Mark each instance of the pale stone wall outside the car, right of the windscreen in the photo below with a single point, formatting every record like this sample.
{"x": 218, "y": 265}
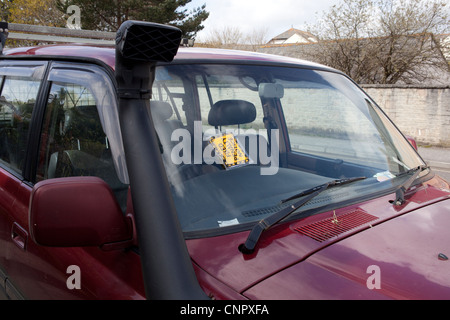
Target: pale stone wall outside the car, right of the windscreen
{"x": 421, "y": 112}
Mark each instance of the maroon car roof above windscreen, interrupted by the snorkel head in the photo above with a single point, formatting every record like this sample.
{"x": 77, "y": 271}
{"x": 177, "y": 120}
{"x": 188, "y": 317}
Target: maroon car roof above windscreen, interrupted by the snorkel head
{"x": 106, "y": 54}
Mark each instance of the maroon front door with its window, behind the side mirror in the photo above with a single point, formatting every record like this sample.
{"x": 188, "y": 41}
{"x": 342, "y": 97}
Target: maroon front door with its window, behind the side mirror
{"x": 67, "y": 139}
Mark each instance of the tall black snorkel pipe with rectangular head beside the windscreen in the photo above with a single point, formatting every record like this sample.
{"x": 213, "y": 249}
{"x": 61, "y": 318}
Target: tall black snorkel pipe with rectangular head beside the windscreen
{"x": 167, "y": 268}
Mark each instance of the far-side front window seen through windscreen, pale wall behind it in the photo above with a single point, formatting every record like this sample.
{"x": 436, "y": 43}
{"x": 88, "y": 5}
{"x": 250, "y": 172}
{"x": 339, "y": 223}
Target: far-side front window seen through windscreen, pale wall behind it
{"x": 323, "y": 121}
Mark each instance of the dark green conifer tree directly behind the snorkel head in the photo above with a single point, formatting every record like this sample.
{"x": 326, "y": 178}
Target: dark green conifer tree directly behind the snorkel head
{"x": 109, "y": 15}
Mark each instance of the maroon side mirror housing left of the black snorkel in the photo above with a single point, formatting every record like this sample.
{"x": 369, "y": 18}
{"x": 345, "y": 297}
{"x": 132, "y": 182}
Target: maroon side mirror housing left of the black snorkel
{"x": 76, "y": 212}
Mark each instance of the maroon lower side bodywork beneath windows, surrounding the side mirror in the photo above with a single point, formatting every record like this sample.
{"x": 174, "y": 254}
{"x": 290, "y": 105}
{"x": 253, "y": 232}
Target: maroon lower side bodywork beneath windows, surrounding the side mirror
{"x": 38, "y": 272}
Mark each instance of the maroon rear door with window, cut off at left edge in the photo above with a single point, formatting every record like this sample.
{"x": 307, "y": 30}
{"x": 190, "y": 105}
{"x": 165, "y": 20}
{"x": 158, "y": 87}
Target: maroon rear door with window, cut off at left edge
{"x": 21, "y": 83}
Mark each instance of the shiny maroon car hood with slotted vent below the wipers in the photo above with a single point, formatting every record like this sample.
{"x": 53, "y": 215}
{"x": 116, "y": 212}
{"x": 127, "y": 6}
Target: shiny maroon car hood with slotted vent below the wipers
{"x": 400, "y": 255}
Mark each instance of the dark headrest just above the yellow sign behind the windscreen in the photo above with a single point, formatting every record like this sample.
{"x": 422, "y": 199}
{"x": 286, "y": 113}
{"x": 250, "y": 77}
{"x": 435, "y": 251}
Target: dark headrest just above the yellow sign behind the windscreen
{"x": 231, "y": 112}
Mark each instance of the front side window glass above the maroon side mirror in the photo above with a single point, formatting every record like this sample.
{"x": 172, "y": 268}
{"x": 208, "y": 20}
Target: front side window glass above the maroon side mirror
{"x": 73, "y": 141}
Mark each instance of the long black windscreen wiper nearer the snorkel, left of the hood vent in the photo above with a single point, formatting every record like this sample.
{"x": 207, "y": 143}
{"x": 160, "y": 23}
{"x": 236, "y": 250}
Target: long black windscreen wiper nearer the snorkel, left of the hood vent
{"x": 249, "y": 246}
